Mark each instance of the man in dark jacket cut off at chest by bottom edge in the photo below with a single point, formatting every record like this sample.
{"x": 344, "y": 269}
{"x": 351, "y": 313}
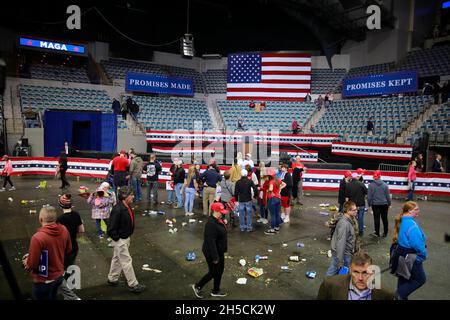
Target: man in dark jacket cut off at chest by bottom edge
{"x": 354, "y": 286}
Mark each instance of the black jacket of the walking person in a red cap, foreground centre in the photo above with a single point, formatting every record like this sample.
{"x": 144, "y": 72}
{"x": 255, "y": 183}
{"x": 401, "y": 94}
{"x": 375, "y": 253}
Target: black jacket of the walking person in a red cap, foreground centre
{"x": 215, "y": 242}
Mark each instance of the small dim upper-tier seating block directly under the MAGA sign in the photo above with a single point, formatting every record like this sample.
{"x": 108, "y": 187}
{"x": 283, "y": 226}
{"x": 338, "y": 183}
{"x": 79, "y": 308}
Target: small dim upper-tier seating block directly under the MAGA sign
{"x": 59, "y": 73}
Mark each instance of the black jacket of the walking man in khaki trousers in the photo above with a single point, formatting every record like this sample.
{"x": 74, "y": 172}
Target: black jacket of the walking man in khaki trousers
{"x": 120, "y": 224}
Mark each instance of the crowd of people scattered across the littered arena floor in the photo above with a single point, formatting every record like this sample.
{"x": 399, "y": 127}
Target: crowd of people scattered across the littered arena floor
{"x": 240, "y": 193}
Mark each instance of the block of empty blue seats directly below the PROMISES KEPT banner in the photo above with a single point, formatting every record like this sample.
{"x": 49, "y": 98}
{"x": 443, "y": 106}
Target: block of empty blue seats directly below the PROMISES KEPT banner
{"x": 389, "y": 115}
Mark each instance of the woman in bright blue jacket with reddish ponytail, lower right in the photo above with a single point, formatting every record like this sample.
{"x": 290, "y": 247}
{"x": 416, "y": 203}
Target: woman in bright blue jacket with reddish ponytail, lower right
{"x": 410, "y": 239}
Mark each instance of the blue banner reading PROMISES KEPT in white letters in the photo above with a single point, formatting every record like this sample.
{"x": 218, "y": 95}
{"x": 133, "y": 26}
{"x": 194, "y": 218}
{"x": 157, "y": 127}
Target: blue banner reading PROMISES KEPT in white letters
{"x": 381, "y": 84}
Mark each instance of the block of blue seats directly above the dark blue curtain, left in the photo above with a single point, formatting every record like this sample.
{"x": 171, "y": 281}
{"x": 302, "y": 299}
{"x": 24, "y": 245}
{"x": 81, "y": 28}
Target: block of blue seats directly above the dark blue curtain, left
{"x": 41, "y": 98}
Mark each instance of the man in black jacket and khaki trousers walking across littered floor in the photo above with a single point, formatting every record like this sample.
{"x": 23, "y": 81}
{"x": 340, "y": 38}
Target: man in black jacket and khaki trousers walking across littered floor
{"x": 120, "y": 229}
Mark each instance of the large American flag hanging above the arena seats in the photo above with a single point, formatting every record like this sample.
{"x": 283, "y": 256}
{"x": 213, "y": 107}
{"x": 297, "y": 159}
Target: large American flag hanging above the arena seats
{"x": 268, "y": 76}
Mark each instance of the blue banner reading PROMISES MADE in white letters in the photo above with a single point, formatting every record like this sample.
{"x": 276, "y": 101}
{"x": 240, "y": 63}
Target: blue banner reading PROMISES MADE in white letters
{"x": 158, "y": 84}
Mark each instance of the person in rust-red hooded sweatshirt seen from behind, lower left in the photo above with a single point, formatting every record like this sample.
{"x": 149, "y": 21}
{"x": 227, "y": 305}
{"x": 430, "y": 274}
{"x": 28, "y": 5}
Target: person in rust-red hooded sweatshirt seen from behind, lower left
{"x": 45, "y": 259}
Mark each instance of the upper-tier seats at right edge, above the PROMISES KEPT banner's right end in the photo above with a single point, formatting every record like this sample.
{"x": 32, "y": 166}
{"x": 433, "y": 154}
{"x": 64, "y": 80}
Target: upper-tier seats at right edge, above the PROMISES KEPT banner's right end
{"x": 428, "y": 62}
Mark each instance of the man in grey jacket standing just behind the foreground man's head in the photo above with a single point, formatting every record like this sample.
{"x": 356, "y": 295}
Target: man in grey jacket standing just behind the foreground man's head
{"x": 343, "y": 241}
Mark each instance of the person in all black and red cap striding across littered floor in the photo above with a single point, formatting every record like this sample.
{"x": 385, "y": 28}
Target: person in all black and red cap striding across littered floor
{"x": 215, "y": 244}
